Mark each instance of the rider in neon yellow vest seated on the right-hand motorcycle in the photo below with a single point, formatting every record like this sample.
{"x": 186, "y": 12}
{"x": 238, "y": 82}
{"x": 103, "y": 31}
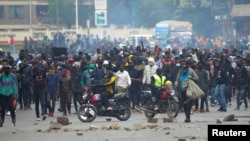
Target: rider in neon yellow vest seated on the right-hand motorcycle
{"x": 158, "y": 84}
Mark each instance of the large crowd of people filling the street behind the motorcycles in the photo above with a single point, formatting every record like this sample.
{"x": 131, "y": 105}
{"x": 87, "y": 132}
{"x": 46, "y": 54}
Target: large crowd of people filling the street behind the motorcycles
{"x": 39, "y": 80}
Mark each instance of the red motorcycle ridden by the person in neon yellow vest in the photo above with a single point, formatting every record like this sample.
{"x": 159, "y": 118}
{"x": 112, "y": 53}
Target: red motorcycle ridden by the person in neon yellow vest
{"x": 167, "y": 103}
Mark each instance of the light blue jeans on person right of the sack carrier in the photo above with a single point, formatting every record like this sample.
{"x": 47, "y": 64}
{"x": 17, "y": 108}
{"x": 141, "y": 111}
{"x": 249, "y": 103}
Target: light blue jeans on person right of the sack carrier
{"x": 219, "y": 94}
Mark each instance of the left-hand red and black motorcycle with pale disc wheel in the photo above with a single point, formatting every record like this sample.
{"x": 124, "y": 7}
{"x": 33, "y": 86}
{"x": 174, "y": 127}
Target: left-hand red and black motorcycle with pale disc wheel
{"x": 93, "y": 106}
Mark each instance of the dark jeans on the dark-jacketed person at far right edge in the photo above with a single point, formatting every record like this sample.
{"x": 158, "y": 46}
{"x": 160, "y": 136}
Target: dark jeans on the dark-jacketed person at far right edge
{"x": 241, "y": 95}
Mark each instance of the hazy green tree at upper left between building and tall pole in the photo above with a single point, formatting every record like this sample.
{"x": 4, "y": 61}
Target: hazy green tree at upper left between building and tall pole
{"x": 66, "y": 12}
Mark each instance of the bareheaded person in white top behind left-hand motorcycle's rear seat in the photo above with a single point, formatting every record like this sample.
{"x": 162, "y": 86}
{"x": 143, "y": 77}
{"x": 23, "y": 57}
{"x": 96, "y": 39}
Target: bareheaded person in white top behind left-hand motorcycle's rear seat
{"x": 123, "y": 81}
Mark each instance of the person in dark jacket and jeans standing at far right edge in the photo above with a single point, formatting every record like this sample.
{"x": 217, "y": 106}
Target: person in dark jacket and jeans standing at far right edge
{"x": 240, "y": 81}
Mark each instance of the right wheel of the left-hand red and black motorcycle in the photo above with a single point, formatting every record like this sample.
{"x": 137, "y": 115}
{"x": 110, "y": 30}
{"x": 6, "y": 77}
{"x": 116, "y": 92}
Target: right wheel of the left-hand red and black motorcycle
{"x": 123, "y": 112}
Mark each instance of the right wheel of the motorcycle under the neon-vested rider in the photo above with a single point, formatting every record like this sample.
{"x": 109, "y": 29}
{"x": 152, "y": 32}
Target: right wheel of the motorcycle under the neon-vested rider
{"x": 172, "y": 109}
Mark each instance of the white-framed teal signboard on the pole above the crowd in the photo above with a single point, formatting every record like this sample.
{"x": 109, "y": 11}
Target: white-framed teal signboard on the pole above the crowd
{"x": 100, "y": 17}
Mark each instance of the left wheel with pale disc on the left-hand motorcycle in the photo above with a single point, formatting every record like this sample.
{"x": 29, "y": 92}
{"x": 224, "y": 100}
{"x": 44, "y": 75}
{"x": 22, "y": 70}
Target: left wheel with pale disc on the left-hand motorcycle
{"x": 87, "y": 113}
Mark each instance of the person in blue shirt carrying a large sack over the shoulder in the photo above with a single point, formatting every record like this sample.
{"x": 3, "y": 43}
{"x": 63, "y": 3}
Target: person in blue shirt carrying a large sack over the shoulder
{"x": 182, "y": 83}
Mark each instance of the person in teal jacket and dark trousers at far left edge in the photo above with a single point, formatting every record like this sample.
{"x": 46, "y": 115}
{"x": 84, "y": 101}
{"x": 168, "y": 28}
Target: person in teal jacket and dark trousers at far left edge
{"x": 8, "y": 92}
